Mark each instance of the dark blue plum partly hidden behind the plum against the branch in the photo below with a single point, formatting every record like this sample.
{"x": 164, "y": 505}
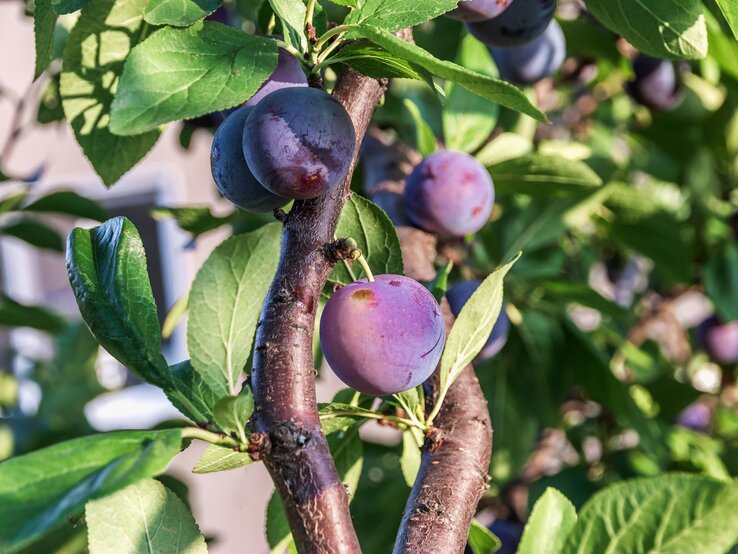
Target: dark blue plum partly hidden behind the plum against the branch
{"x": 230, "y": 172}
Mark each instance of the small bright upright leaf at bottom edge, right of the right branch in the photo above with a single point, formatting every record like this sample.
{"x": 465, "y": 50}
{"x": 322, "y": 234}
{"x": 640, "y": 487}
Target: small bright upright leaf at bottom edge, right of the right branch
{"x": 549, "y": 524}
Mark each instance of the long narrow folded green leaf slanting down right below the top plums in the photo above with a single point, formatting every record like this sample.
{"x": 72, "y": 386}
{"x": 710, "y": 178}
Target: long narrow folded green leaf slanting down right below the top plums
{"x": 499, "y": 91}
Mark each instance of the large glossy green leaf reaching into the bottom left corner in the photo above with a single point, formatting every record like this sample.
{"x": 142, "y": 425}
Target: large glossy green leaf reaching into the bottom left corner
{"x": 41, "y": 490}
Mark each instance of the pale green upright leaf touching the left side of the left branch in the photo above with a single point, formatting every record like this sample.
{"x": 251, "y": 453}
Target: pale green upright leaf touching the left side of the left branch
{"x": 225, "y": 303}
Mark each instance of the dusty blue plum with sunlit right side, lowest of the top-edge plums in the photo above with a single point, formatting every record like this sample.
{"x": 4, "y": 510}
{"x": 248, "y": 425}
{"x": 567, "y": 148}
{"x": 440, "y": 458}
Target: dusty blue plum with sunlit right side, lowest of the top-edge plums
{"x": 536, "y": 60}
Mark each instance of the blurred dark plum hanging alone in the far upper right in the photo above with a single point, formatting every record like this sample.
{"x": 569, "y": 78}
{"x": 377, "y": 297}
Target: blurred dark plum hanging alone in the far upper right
{"x": 656, "y": 85}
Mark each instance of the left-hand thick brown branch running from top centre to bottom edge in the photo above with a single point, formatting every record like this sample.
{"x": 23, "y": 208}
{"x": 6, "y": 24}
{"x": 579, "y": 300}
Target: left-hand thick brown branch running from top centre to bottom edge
{"x": 283, "y": 376}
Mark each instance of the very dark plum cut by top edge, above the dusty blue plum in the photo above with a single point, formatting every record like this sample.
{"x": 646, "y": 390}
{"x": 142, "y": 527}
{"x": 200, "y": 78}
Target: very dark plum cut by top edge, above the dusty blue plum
{"x": 521, "y": 23}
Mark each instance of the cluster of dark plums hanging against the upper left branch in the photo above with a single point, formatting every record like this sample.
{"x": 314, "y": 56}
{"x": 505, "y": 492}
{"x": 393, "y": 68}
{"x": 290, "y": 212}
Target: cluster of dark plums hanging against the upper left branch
{"x": 288, "y": 142}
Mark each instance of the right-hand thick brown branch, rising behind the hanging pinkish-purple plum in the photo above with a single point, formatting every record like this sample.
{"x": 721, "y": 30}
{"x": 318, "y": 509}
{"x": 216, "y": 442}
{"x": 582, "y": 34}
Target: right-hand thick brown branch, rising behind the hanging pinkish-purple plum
{"x": 455, "y": 458}
